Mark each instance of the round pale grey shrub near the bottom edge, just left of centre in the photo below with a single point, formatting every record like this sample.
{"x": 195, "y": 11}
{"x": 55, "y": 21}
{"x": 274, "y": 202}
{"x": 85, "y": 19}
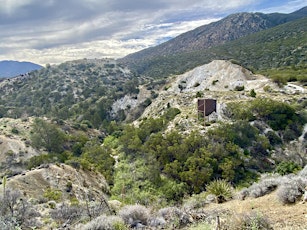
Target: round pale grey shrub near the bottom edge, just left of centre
{"x": 134, "y": 215}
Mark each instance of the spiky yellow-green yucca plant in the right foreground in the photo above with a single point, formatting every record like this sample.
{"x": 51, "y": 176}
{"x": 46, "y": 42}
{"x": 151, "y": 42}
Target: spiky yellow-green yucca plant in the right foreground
{"x": 221, "y": 189}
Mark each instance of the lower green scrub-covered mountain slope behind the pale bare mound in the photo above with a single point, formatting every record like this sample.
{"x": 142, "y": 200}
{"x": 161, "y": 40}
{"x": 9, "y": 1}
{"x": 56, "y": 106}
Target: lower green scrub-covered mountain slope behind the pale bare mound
{"x": 283, "y": 45}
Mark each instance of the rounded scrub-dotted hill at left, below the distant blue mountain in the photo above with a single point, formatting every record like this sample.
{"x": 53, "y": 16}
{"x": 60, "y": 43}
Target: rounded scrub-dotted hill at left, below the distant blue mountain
{"x": 82, "y": 90}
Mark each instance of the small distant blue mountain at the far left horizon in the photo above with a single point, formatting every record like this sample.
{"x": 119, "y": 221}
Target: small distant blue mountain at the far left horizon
{"x": 14, "y": 68}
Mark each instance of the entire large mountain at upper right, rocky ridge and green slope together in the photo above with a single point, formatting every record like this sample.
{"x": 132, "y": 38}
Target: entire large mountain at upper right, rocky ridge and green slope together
{"x": 280, "y": 44}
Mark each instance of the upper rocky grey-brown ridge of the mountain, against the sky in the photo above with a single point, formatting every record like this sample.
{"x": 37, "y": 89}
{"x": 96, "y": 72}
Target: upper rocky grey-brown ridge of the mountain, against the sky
{"x": 229, "y": 28}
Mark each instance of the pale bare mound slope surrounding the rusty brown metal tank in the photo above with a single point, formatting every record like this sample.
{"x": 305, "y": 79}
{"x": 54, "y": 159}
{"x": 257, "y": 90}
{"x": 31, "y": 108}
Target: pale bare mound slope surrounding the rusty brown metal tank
{"x": 221, "y": 80}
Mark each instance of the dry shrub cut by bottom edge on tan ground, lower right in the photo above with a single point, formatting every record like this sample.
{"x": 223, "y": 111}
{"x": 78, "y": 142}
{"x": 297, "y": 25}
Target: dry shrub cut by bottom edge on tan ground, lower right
{"x": 253, "y": 221}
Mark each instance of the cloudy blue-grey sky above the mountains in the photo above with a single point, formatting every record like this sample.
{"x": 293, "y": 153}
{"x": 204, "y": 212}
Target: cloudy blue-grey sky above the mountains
{"x": 55, "y": 31}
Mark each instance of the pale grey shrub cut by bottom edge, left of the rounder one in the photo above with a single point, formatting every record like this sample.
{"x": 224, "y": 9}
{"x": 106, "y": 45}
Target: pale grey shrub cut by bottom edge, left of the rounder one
{"x": 107, "y": 223}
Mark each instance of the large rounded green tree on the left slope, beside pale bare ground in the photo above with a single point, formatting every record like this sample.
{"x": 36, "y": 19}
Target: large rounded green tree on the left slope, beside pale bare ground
{"x": 47, "y": 135}
